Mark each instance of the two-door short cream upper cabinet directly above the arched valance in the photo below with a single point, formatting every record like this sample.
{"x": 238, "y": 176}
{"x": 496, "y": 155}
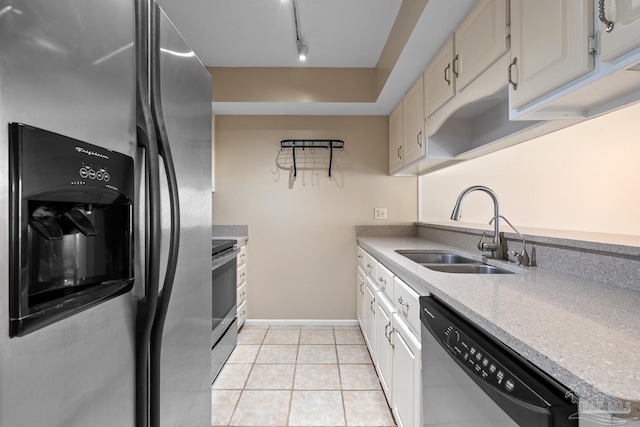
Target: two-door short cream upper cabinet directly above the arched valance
{"x": 476, "y": 44}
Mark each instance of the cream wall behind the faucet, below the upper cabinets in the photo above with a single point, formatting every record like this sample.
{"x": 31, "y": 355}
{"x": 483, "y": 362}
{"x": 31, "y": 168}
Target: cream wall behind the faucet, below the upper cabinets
{"x": 583, "y": 178}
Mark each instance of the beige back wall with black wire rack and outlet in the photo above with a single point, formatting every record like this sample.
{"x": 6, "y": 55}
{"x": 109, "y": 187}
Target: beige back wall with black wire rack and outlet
{"x": 302, "y": 239}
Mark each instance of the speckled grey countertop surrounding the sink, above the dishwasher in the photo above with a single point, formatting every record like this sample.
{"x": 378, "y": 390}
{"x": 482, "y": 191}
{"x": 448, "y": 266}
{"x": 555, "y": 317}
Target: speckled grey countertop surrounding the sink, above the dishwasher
{"x": 586, "y": 334}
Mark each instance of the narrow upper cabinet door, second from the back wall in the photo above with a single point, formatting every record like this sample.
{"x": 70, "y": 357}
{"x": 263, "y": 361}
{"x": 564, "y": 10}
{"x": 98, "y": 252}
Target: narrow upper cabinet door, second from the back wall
{"x": 413, "y": 108}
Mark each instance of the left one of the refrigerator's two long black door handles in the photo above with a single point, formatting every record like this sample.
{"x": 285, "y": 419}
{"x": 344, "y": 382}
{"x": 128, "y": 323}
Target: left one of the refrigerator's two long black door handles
{"x": 146, "y": 136}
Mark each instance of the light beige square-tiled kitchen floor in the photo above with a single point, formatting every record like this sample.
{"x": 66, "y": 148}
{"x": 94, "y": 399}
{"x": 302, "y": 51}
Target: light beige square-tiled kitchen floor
{"x": 299, "y": 376}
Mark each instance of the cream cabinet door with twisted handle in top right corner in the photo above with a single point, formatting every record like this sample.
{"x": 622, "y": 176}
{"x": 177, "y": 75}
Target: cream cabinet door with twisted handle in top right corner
{"x": 624, "y": 33}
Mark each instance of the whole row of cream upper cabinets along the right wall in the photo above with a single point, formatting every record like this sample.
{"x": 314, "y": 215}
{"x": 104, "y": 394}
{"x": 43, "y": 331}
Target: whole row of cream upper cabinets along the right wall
{"x": 516, "y": 70}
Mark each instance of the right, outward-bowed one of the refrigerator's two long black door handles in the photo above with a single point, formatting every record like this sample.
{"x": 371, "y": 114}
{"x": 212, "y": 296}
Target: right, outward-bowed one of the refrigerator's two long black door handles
{"x": 174, "y": 203}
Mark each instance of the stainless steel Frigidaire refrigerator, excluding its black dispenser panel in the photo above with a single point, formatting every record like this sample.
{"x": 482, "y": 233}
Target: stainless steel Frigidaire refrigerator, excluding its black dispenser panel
{"x": 81, "y": 69}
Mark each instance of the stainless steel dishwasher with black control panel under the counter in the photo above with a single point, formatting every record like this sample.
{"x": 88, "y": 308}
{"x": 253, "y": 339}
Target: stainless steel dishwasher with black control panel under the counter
{"x": 471, "y": 379}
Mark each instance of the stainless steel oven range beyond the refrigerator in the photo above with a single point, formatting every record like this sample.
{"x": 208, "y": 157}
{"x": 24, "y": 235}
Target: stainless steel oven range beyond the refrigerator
{"x": 224, "y": 334}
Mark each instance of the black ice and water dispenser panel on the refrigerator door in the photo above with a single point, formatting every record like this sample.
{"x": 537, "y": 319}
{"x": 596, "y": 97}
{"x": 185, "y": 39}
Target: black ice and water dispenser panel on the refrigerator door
{"x": 71, "y": 232}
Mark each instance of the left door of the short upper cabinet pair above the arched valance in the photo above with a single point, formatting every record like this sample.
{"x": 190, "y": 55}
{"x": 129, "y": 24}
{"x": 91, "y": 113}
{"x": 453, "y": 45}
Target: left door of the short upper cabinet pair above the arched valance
{"x": 439, "y": 85}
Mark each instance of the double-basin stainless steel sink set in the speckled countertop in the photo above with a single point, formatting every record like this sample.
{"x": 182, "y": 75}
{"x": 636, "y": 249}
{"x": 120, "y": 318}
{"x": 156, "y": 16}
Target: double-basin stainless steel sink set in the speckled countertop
{"x": 447, "y": 262}
